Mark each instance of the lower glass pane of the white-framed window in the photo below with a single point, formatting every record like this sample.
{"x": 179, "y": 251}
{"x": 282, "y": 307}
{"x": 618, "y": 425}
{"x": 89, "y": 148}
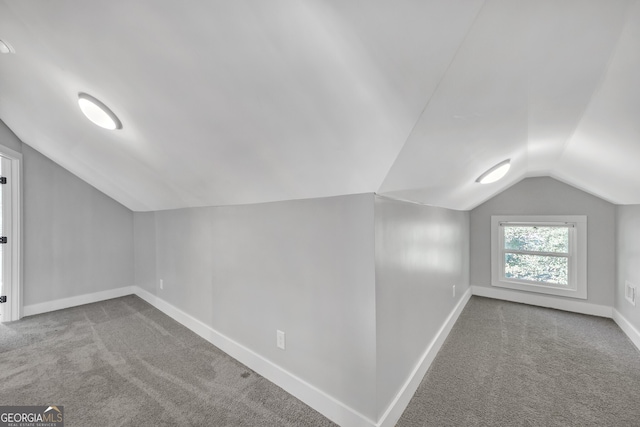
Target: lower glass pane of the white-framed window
{"x": 547, "y": 269}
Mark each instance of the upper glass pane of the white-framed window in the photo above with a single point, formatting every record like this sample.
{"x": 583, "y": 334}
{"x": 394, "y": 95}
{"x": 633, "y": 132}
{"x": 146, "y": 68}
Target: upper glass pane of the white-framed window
{"x": 539, "y": 239}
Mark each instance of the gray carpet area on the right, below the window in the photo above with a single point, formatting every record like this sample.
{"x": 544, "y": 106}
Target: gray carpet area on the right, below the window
{"x": 507, "y": 364}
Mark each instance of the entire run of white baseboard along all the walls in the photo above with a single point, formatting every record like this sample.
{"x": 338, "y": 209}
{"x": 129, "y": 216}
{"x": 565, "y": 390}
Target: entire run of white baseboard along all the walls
{"x": 328, "y": 406}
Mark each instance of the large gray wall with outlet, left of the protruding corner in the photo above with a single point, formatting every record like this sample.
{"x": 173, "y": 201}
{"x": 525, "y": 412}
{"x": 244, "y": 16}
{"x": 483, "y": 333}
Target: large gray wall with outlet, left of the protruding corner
{"x": 305, "y": 267}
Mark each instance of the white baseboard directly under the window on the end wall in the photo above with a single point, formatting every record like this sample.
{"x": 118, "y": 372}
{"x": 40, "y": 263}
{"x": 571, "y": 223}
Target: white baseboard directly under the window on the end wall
{"x": 543, "y": 301}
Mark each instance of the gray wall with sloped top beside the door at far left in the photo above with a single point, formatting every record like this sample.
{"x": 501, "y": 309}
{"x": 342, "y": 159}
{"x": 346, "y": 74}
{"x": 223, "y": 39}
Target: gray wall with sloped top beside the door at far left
{"x": 76, "y": 240}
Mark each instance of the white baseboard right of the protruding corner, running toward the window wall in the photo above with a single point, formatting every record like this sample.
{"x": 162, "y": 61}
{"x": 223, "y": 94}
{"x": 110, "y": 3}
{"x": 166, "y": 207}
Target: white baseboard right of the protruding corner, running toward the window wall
{"x": 402, "y": 399}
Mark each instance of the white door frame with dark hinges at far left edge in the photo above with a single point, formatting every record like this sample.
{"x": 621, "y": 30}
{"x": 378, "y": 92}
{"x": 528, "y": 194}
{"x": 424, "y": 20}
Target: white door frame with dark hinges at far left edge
{"x": 14, "y": 234}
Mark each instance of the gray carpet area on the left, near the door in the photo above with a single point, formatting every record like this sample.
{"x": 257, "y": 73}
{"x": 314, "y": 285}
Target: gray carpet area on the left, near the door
{"x": 124, "y": 363}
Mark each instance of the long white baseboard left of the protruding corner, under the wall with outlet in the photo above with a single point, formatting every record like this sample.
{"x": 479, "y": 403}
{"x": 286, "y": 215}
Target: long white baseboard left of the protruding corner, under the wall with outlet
{"x": 328, "y": 406}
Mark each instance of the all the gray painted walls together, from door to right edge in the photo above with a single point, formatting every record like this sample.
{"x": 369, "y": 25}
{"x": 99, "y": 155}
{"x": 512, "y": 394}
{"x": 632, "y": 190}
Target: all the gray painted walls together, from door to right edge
{"x": 360, "y": 284}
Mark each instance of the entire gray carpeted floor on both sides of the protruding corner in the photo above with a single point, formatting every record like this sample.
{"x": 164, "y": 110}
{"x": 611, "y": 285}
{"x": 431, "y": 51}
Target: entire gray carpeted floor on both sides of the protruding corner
{"x": 124, "y": 363}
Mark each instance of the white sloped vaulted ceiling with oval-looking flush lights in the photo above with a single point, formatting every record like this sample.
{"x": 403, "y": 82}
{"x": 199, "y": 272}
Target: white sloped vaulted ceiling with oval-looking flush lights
{"x": 229, "y": 102}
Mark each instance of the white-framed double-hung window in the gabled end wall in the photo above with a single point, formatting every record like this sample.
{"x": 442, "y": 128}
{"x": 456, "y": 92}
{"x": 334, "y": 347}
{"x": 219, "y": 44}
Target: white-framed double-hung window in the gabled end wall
{"x": 544, "y": 254}
